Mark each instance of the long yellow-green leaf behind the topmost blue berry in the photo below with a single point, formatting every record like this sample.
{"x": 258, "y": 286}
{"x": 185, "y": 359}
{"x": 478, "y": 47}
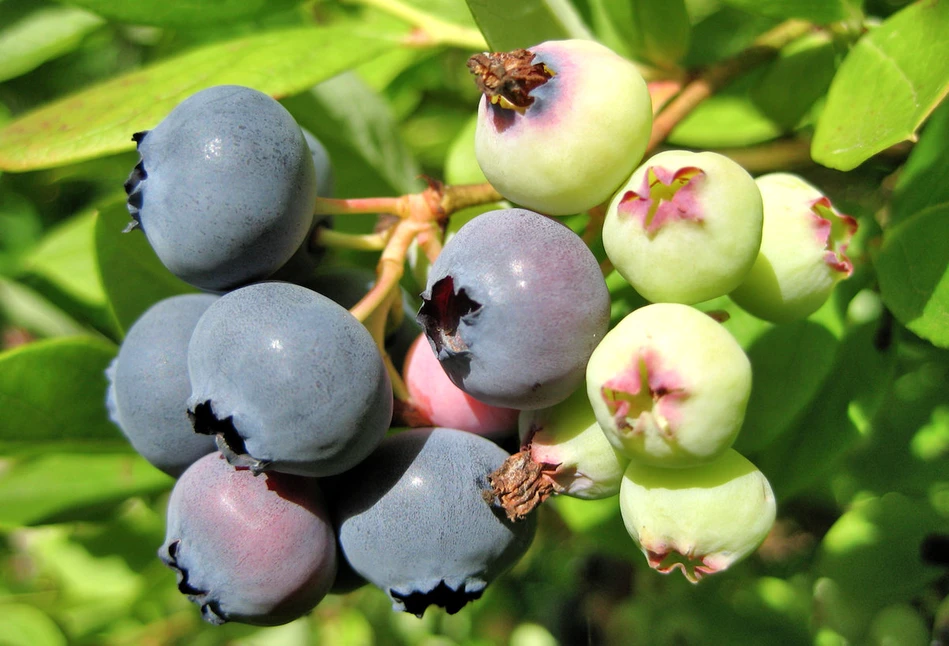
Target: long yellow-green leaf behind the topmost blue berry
{"x": 100, "y": 121}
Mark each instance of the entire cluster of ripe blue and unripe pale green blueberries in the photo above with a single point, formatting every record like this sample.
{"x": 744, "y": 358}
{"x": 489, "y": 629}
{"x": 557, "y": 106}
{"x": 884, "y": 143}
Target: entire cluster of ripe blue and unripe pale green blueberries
{"x": 272, "y": 403}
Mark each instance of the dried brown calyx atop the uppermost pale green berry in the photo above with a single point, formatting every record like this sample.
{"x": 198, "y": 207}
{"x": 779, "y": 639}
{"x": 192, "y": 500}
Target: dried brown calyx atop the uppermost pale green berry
{"x": 507, "y": 78}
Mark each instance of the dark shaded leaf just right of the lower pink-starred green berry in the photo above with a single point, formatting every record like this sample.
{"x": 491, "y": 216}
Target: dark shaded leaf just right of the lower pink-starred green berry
{"x": 789, "y": 365}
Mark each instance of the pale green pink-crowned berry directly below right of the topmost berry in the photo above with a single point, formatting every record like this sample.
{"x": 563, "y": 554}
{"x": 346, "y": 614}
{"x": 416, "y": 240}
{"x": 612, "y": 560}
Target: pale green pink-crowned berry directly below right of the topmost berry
{"x": 685, "y": 228}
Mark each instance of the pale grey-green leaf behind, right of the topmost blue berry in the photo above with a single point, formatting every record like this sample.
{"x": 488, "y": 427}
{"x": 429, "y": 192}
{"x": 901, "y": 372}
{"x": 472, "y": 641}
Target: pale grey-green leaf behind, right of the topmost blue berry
{"x": 345, "y": 112}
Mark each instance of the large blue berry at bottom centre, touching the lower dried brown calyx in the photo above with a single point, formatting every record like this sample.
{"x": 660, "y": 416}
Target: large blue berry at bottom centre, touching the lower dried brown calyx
{"x": 413, "y": 520}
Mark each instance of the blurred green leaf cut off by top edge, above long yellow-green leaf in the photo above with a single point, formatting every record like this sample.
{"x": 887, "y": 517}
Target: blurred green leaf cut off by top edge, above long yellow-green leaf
{"x": 161, "y": 12}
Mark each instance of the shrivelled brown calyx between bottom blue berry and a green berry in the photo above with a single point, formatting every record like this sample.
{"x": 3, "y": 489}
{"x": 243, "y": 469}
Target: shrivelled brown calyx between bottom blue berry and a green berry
{"x": 520, "y": 484}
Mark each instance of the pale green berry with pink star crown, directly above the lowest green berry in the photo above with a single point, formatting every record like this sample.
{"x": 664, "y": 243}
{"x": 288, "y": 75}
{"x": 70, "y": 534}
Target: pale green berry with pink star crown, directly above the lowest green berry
{"x": 669, "y": 386}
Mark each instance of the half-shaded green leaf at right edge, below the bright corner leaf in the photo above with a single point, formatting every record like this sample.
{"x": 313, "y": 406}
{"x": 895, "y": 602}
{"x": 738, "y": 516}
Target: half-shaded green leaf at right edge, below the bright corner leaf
{"x": 913, "y": 267}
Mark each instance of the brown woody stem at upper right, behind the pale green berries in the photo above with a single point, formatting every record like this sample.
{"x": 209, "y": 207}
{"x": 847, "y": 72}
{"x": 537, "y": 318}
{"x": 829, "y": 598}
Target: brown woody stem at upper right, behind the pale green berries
{"x": 713, "y": 78}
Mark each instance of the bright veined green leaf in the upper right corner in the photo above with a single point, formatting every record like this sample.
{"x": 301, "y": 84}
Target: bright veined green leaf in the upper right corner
{"x": 892, "y": 79}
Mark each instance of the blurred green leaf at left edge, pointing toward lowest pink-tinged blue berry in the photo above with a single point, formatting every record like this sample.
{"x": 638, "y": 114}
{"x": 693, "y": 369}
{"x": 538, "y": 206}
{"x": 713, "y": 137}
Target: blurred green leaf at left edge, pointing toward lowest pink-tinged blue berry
{"x": 54, "y": 487}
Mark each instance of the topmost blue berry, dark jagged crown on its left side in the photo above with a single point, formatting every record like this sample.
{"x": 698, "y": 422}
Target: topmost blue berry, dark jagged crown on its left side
{"x": 225, "y": 187}
